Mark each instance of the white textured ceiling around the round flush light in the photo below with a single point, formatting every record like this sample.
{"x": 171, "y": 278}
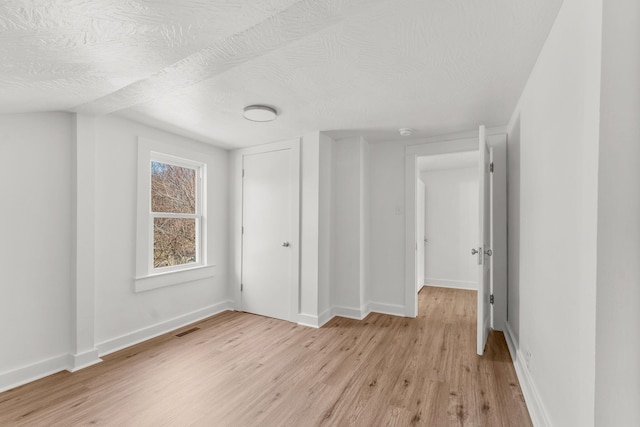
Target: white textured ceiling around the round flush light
{"x": 350, "y": 67}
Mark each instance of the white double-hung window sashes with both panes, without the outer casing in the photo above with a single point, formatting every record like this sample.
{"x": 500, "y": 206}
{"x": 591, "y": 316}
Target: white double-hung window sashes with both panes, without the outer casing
{"x": 175, "y": 213}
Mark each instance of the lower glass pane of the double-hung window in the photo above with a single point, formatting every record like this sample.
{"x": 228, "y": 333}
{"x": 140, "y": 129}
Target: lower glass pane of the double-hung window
{"x": 174, "y": 241}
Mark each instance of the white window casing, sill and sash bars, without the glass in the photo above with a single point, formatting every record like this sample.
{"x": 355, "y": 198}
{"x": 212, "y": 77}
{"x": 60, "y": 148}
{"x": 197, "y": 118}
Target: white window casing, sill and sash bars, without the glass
{"x": 147, "y": 276}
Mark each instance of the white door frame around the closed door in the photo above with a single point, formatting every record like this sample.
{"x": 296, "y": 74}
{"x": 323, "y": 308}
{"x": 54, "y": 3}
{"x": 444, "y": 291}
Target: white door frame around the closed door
{"x": 236, "y": 162}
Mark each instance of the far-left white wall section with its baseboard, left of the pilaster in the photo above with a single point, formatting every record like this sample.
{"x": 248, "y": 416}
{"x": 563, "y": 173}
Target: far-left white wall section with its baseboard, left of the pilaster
{"x": 36, "y": 249}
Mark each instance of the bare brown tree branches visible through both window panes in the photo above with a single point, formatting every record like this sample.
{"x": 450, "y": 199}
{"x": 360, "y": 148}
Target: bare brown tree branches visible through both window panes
{"x": 173, "y": 191}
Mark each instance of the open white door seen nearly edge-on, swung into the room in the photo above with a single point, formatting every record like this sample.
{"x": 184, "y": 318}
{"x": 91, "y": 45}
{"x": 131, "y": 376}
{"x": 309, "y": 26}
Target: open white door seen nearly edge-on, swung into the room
{"x": 484, "y": 251}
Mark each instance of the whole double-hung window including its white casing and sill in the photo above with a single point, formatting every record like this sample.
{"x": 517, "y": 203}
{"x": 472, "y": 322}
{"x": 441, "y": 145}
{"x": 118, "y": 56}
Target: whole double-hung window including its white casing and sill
{"x": 172, "y": 218}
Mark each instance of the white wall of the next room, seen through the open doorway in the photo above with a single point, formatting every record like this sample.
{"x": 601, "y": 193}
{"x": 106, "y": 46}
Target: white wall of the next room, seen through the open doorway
{"x": 451, "y": 225}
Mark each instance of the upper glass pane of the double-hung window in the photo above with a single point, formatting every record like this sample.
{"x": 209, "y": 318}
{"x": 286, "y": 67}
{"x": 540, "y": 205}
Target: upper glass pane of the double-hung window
{"x": 173, "y": 188}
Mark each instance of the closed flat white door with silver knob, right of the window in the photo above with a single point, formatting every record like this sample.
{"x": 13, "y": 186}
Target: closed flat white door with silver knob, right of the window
{"x": 267, "y": 234}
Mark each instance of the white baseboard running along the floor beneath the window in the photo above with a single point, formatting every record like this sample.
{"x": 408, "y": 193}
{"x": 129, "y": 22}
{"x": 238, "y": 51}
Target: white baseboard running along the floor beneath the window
{"x": 135, "y": 337}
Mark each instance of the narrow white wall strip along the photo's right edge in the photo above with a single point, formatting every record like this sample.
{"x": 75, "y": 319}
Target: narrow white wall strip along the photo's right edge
{"x": 617, "y": 400}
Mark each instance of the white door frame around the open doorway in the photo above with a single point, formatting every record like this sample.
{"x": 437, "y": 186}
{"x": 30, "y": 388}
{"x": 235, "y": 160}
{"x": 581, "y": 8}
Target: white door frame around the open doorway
{"x": 467, "y": 141}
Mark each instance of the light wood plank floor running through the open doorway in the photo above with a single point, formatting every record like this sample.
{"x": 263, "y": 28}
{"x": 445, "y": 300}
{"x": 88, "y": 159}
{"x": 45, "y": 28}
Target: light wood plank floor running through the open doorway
{"x": 240, "y": 369}
